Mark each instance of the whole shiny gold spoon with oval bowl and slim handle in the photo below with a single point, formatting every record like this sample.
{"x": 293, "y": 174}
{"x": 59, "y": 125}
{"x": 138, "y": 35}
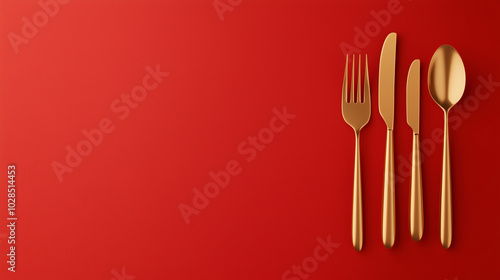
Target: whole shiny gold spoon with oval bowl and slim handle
{"x": 446, "y": 82}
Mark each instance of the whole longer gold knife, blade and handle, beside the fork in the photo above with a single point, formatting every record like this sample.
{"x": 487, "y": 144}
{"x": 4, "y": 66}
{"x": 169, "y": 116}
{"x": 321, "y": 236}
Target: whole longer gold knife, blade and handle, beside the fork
{"x": 387, "y": 72}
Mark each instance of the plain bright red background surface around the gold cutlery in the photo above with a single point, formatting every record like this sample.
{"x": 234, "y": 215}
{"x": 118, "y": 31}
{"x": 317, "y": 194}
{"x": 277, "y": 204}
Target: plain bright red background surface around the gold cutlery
{"x": 119, "y": 208}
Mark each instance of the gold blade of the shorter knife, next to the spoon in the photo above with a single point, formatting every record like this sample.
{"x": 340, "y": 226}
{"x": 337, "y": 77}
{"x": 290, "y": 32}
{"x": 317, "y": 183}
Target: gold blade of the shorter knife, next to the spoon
{"x": 413, "y": 97}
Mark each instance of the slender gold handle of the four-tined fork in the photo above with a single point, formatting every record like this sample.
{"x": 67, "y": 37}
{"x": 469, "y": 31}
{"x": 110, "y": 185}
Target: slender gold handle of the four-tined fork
{"x": 357, "y": 202}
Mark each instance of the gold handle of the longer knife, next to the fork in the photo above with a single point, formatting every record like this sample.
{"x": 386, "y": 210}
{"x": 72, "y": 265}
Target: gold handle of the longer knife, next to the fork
{"x": 388, "y": 207}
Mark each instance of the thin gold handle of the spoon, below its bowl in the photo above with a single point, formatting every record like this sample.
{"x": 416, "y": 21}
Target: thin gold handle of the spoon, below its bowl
{"x": 446, "y": 190}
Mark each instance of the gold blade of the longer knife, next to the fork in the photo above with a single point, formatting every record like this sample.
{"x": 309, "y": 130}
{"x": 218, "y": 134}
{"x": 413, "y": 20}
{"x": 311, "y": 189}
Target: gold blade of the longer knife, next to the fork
{"x": 387, "y": 72}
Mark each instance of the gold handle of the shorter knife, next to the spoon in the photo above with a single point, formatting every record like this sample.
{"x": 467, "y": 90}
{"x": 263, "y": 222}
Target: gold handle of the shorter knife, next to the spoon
{"x": 416, "y": 204}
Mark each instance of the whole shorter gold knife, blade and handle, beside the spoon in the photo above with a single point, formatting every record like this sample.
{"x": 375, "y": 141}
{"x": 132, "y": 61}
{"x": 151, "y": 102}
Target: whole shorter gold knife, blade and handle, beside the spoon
{"x": 413, "y": 119}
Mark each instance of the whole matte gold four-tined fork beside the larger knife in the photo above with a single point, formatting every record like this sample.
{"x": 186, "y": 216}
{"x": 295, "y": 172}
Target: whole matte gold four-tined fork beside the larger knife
{"x": 356, "y": 113}
